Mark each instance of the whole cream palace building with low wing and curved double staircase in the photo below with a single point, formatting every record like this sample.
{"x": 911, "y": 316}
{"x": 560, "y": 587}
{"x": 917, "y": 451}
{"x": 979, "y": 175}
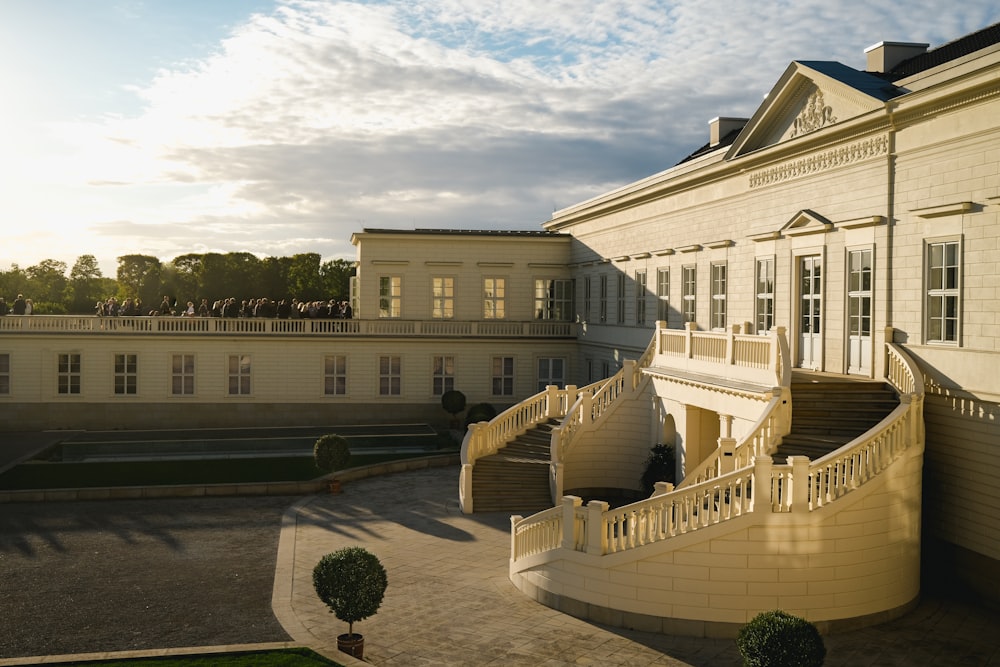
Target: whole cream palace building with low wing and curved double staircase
{"x": 805, "y": 309}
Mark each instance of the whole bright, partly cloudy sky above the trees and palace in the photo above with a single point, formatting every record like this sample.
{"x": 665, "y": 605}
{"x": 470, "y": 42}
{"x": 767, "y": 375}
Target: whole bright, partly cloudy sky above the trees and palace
{"x": 167, "y": 127}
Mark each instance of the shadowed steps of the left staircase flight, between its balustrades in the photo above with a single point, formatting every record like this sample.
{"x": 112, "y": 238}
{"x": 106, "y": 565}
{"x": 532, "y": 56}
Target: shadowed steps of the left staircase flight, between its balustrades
{"x": 516, "y": 478}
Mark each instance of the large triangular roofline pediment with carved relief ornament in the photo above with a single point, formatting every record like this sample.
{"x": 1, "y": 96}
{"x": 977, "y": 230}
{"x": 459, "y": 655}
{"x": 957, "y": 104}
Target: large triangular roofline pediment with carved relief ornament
{"x": 810, "y": 97}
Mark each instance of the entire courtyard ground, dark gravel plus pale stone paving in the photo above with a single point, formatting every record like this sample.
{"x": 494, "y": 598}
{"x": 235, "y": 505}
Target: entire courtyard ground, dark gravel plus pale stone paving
{"x": 156, "y": 574}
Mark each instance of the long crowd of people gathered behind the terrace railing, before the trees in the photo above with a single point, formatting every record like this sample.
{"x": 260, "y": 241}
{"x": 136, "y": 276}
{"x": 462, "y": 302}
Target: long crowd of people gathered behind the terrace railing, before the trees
{"x": 260, "y": 307}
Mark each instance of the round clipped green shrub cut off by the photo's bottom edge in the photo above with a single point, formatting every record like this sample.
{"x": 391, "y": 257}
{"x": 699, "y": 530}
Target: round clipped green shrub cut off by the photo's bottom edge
{"x": 778, "y": 639}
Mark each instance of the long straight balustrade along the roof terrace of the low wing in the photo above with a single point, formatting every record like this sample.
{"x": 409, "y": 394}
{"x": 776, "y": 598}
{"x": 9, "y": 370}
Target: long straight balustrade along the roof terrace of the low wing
{"x": 110, "y": 326}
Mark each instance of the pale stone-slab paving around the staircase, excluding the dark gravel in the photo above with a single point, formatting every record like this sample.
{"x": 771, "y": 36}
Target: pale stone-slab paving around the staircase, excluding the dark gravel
{"x": 449, "y": 601}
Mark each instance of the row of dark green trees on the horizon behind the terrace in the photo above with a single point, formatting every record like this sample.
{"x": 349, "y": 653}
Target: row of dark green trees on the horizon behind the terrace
{"x": 57, "y": 289}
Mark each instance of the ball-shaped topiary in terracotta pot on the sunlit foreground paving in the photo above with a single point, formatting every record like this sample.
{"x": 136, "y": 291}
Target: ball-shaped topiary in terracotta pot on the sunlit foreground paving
{"x": 352, "y": 583}
